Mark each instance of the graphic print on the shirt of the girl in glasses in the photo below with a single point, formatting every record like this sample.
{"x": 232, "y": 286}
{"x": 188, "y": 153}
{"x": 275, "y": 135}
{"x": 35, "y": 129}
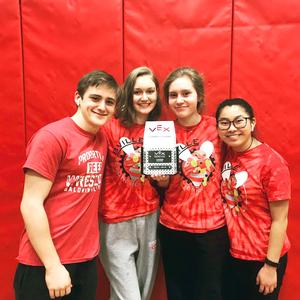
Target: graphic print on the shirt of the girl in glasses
{"x": 231, "y": 186}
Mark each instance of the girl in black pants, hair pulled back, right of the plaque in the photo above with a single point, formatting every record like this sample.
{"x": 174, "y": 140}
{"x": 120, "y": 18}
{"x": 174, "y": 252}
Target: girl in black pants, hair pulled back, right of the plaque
{"x": 192, "y": 230}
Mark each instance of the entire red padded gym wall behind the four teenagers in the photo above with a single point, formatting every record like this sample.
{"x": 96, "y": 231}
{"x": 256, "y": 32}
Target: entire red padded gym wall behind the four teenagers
{"x": 243, "y": 48}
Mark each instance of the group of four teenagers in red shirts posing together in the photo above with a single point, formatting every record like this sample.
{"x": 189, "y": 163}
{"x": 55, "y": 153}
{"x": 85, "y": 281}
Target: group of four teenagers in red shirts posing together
{"x": 220, "y": 229}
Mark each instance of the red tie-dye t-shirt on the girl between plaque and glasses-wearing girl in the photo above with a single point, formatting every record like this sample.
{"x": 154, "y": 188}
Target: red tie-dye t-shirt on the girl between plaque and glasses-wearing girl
{"x": 193, "y": 201}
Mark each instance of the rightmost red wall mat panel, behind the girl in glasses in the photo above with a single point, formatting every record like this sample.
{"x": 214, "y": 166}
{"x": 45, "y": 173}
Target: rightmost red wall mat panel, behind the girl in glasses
{"x": 266, "y": 66}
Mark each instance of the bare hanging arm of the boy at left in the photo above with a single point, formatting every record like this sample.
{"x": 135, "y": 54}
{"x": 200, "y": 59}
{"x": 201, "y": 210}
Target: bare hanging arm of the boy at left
{"x": 36, "y": 189}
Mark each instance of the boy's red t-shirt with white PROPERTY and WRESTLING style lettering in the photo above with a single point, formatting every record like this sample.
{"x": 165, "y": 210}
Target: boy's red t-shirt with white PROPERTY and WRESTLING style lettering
{"x": 73, "y": 160}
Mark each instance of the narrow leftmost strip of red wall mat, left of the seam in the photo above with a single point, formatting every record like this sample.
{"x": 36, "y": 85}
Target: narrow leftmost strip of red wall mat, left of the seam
{"x": 12, "y": 147}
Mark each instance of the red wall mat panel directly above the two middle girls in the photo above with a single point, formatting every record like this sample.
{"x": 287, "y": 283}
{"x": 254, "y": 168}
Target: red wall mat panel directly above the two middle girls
{"x": 168, "y": 34}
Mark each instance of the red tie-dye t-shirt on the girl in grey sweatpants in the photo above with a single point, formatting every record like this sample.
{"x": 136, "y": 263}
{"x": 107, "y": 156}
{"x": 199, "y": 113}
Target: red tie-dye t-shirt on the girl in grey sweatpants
{"x": 127, "y": 193}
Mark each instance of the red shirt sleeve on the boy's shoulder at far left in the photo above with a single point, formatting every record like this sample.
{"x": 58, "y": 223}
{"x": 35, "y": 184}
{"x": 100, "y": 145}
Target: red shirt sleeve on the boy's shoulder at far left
{"x": 44, "y": 154}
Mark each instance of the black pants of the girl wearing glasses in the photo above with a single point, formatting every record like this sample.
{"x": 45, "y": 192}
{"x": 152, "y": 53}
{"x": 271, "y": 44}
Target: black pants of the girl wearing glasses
{"x": 242, "y": 283}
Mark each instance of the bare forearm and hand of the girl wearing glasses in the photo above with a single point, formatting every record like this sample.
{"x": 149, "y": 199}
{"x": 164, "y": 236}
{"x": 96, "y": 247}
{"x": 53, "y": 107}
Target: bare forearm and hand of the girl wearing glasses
{"x": 267, "y": 276}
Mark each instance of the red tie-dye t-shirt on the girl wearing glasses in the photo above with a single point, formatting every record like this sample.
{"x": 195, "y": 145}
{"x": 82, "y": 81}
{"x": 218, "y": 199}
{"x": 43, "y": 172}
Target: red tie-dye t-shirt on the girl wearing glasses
{"x": 250, "y": 180}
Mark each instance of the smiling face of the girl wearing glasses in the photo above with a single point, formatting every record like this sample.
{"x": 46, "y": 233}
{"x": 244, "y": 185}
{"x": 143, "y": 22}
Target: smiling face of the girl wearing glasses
{"x": 238, "y": 135}
